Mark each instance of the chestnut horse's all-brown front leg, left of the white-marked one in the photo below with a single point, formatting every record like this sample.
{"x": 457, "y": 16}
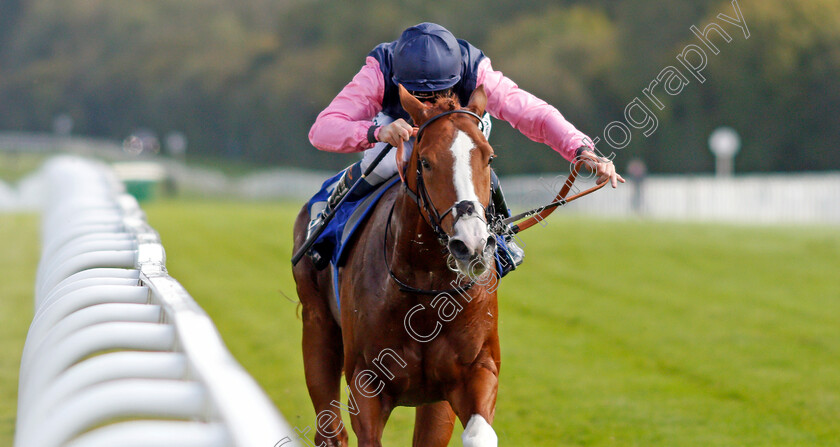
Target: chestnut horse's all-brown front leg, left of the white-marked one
{"x": 369, "y": 410}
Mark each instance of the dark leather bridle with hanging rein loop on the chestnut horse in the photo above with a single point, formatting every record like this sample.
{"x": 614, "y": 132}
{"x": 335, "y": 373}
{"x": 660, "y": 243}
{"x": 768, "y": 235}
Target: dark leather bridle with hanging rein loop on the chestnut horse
{"x": 427, "y": 208}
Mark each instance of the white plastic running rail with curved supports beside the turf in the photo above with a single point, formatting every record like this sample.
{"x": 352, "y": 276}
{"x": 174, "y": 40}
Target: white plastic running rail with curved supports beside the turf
{"x": 118, "y": 353}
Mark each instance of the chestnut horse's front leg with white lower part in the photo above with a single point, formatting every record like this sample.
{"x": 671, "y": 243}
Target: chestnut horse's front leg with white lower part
{"x": 474, "y": 401}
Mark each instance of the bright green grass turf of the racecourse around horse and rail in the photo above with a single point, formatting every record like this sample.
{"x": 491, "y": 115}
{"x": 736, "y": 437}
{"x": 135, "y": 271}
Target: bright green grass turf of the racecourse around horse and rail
{"x": 614, "y": 333}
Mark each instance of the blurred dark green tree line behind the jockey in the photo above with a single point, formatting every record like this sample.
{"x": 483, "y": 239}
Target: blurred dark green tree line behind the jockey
{"x": 244, "y": 79}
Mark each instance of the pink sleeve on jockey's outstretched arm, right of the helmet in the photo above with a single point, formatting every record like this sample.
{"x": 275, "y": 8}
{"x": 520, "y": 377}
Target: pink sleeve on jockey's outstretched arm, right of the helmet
{"x": 532, "y": 116}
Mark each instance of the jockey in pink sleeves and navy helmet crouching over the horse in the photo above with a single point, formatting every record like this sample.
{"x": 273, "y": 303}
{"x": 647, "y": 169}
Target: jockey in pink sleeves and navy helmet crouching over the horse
{"x": 430, "y": 62}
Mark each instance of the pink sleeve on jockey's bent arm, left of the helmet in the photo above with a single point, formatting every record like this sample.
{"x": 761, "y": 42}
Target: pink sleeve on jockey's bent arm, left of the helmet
{"x": 343, "y": 125}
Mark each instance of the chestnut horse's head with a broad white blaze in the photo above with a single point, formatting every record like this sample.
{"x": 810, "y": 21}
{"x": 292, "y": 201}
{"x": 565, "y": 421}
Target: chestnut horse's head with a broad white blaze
{"x": 449, "y": 172}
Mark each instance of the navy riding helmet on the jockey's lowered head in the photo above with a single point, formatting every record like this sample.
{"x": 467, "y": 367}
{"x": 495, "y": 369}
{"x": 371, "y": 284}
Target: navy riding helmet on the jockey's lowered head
{"x": 427, "y": 58}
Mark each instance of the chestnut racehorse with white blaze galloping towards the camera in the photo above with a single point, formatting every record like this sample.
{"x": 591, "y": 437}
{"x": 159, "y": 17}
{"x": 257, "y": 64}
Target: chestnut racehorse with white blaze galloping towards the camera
{"x": 411, "y": 330}
